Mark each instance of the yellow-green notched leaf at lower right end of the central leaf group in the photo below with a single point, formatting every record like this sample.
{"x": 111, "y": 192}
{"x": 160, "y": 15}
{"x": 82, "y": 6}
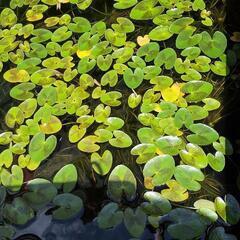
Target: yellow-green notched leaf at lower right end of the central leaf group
{"x": 121, "y": 140}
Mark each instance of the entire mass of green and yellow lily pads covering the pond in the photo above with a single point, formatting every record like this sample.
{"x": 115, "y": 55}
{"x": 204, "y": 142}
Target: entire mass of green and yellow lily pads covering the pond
{"x": 67, "y": 72}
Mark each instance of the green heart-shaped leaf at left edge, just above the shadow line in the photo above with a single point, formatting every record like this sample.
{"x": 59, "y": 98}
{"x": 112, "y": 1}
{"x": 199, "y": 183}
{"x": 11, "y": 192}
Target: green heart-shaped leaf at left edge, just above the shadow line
{"x": 14, "y": 180}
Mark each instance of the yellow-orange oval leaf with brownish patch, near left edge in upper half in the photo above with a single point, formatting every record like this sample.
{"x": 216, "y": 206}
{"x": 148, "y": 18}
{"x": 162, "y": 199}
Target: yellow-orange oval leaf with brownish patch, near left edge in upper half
{"x": 15, "y": 75}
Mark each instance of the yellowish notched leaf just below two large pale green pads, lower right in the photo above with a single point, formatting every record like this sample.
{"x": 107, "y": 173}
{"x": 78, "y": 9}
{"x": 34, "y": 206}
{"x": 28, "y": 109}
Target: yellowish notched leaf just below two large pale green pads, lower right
{"x": 175, "y": 192}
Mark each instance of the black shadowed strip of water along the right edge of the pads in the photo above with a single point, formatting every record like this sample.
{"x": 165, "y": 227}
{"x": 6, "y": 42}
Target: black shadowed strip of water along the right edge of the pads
{"x": 229, "y": 125}
